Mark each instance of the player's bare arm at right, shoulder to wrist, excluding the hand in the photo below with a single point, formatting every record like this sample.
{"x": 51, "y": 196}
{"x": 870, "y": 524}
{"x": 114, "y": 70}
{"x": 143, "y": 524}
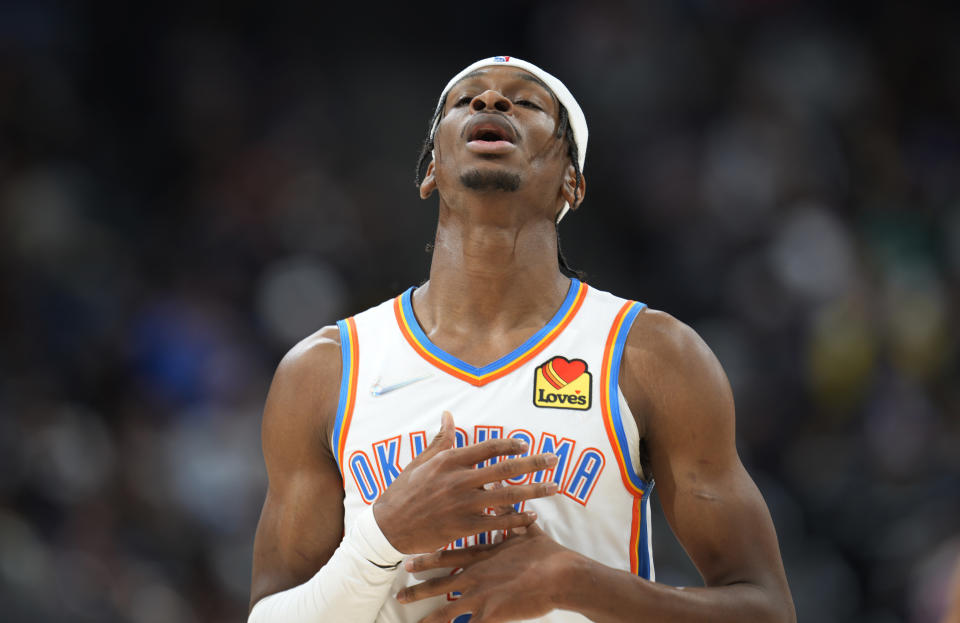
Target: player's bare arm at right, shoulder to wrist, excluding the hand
{"x": 685, "y": 412}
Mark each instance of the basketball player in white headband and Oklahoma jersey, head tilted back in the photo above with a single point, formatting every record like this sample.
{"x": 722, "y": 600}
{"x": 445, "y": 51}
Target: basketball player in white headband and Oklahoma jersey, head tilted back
{"x": 558, "y": 405}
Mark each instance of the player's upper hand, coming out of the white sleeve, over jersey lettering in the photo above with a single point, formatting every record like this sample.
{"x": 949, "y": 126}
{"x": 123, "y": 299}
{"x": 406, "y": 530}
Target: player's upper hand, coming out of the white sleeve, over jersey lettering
{"x": 440, "y": 495}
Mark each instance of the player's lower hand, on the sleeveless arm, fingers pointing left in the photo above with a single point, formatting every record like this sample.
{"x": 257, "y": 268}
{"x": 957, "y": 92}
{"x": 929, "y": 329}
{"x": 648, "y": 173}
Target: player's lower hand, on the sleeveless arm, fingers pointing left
{"x": 519, "y": 578}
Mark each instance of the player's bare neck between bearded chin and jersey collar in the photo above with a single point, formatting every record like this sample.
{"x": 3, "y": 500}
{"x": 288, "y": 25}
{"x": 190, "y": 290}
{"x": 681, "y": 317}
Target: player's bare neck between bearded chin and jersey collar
{"x": 493, "y": 272}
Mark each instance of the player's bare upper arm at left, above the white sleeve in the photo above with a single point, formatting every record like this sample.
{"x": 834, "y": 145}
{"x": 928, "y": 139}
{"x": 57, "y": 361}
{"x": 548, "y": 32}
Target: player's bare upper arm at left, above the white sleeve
{"x": 301, "y": 523}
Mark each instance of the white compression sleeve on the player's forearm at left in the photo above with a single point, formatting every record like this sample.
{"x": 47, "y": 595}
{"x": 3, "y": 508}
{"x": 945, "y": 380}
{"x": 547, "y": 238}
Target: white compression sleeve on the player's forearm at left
{"x": 352, "y": 586}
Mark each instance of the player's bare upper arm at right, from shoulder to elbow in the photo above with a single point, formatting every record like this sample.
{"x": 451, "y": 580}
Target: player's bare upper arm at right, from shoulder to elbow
{"x": 712, "y": 504}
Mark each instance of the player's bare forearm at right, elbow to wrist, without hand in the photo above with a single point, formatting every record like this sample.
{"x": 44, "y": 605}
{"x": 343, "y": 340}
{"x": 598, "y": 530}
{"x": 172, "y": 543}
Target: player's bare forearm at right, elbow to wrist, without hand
{"x": 607, "y": 595}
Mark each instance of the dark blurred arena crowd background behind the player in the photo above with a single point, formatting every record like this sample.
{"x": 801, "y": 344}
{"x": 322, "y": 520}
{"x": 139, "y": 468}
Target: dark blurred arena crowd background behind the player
{"x": 186, "y": 191}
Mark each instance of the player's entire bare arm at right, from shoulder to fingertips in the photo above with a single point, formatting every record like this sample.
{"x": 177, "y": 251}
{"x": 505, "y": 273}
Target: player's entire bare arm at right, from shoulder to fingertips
{"x": 684, "y": 409}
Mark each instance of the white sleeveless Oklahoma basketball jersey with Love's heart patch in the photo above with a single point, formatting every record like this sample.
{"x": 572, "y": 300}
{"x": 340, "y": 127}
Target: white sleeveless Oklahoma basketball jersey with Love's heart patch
{"x": 558, "y": 392}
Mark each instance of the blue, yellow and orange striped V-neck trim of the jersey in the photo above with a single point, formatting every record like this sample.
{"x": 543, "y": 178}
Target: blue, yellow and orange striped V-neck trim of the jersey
{"x": 478, "y": 376}
